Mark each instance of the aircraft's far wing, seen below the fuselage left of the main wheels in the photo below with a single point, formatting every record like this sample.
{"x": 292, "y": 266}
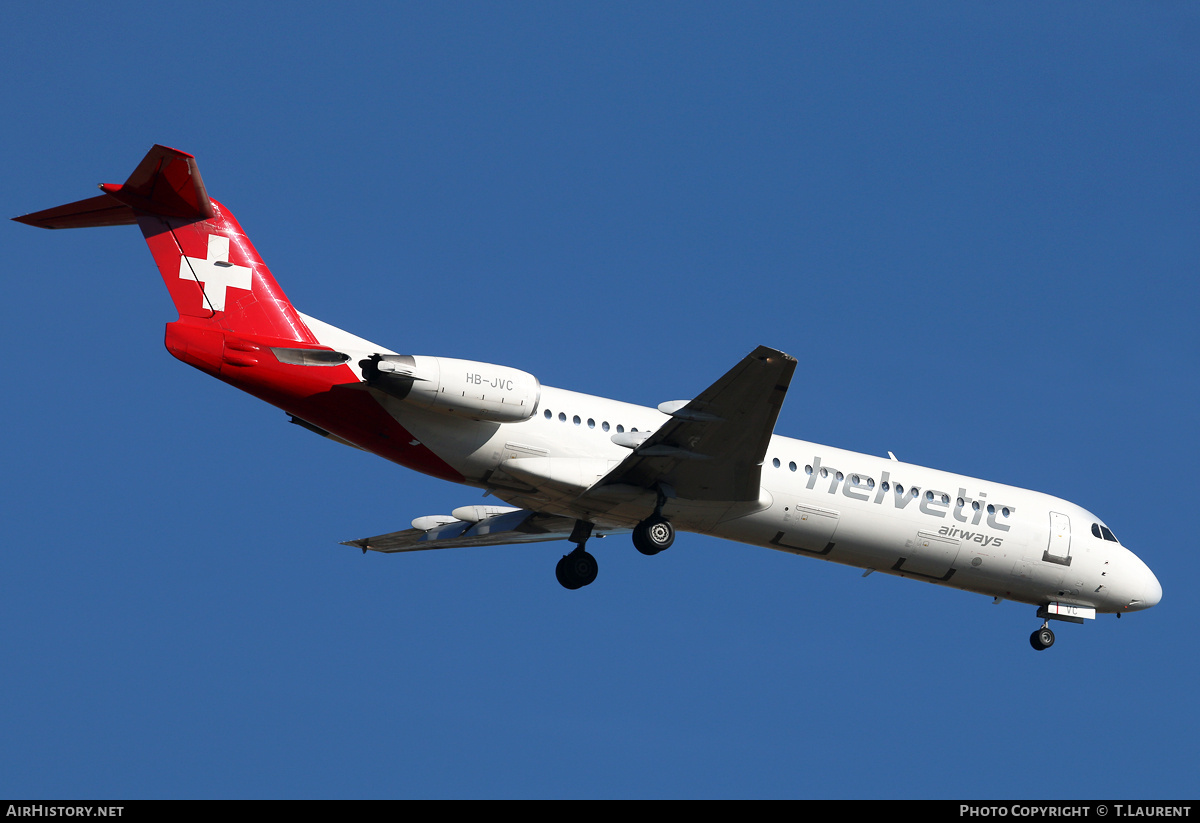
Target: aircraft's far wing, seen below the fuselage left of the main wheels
{"x": 515, "y": 527}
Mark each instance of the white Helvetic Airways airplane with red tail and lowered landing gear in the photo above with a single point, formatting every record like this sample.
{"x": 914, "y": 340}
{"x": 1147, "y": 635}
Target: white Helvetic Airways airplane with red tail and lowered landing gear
{"x": 574, "y": 467}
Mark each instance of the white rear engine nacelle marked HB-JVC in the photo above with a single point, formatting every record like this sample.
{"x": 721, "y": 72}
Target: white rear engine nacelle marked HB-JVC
{"x": 476, "y": 391}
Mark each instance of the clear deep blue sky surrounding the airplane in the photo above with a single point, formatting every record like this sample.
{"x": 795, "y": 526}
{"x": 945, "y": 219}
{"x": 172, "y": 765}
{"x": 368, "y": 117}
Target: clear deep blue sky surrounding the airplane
{"x": 975, "y": 225}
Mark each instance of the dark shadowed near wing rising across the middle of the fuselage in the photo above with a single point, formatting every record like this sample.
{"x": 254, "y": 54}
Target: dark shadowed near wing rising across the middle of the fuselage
{"x": 715, "y": 446}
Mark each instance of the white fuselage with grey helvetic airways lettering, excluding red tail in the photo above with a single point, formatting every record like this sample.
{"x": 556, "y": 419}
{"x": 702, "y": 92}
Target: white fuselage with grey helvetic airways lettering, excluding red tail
{"x": 817, "y": 501}
